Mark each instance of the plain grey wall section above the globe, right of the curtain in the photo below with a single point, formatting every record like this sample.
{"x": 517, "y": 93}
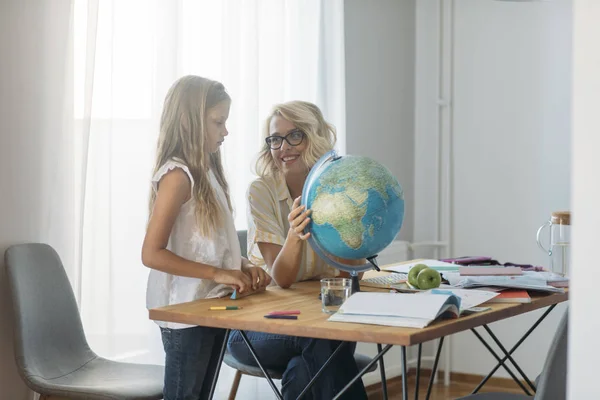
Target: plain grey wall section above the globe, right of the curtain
{"x": 380, "y": 76}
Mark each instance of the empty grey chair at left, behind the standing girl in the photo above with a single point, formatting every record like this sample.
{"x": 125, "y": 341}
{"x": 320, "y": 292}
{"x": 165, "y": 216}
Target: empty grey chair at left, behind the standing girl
{"x": 51, "y": 351}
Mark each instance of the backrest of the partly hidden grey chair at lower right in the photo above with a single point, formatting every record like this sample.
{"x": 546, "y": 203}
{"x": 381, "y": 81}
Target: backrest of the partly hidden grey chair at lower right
{"x": 553, "y": 381}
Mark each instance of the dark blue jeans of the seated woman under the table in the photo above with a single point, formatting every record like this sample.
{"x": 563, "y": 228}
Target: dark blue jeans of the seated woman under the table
{"x": 301, "y": 358}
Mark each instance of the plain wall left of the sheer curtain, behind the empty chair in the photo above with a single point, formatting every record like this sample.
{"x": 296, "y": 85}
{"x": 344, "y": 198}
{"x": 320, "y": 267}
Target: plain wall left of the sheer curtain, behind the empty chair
{"x": 32, "y": 44}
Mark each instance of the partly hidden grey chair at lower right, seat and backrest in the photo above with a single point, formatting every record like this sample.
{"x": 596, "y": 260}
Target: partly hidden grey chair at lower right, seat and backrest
{"x": 553, "y": 379}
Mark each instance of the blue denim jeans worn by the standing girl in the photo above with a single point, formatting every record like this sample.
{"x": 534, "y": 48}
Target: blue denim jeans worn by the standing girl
{"x": 192, "y": 356}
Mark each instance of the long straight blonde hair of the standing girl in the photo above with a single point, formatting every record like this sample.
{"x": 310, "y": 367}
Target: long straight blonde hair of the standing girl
{"x": 183, "y": 132}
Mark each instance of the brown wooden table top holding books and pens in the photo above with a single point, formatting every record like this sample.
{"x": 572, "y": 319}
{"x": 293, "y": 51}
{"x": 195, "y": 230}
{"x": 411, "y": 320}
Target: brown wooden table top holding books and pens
{"x": 312, "y": 322}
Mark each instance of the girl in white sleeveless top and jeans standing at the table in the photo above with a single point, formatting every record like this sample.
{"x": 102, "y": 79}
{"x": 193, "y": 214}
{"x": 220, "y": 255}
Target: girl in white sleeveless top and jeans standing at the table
{"x": 191, "y": 244}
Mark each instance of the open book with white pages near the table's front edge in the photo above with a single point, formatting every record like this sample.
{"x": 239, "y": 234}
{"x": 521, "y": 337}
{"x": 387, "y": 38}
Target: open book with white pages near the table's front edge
{"x": 397, "y": 309}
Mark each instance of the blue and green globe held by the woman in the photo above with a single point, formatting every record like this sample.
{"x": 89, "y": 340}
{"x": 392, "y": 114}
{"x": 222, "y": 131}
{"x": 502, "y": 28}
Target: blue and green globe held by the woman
{"x": 357, "y": 209}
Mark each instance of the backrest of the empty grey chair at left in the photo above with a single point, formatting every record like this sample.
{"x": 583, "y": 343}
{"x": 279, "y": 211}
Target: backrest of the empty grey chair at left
{"x": 49, "y": 337}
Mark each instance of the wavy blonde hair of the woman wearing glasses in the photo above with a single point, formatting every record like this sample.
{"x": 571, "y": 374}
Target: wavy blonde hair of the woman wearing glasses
{"x": 320, "y": 134}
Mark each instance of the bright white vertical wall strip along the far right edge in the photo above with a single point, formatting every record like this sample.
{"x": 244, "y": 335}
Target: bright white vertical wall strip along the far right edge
{"x": 583, "y": 318}
